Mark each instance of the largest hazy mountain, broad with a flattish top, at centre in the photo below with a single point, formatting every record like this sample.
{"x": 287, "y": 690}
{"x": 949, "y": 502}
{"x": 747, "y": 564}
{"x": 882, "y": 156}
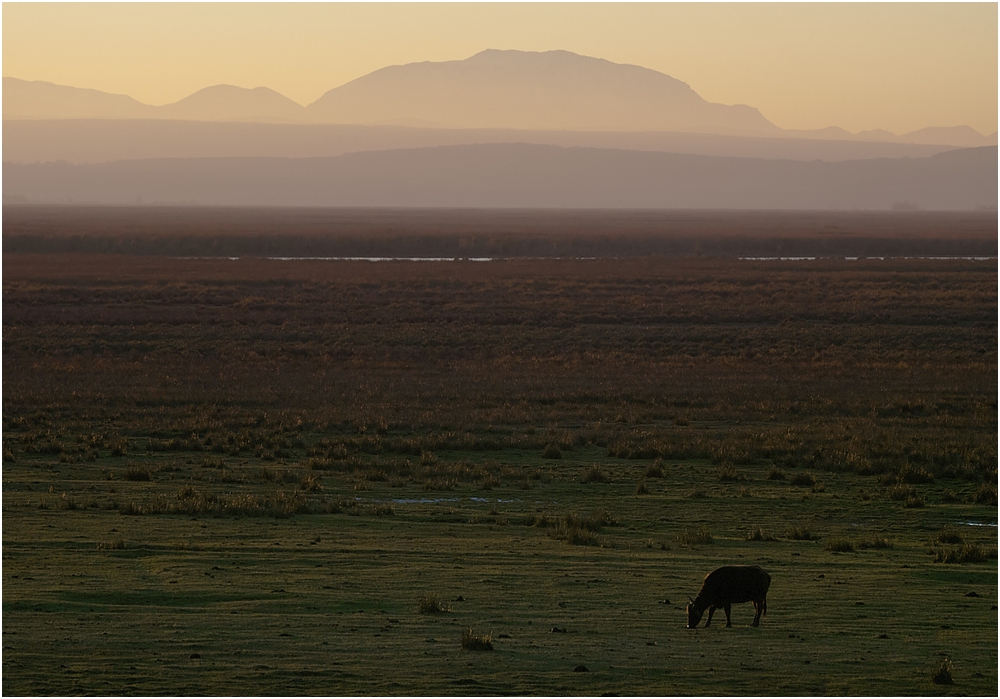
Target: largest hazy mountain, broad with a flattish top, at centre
{"x": 532, "y": 90}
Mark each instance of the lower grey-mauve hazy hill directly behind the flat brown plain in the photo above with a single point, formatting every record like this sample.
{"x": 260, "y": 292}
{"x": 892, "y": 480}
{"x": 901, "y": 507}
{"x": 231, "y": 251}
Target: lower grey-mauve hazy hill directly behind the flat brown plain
{"x": 521, "y": 176}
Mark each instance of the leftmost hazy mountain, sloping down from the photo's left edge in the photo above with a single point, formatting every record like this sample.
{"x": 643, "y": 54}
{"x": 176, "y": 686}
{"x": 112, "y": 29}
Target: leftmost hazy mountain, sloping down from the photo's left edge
{"x": 24, "y": 99}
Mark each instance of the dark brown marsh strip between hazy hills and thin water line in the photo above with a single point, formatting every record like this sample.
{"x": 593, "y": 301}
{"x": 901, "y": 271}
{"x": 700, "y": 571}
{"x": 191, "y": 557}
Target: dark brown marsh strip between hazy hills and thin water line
{"x": 493, "y": 233}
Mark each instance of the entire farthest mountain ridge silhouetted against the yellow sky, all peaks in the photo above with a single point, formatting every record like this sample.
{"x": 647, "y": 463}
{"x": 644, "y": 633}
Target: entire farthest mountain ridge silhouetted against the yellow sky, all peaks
{"x": 517, "y": 90}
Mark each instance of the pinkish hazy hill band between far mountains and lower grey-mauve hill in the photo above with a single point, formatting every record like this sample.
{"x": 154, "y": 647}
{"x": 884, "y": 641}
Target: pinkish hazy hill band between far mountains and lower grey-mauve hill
{"x": 95, "y": 141}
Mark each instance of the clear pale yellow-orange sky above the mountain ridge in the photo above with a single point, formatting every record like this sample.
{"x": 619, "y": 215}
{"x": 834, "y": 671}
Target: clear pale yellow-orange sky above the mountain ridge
{"x": 894, "y": 66}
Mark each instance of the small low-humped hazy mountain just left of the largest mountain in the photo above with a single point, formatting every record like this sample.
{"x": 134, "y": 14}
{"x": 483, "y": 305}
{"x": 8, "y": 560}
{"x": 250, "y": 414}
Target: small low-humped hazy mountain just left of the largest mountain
{"x": 237, "y": 104}
